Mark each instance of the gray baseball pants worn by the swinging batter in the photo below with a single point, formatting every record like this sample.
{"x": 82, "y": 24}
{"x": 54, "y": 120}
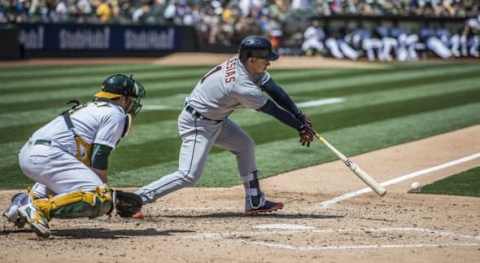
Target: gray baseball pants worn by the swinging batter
{"x": 198, "y": 137}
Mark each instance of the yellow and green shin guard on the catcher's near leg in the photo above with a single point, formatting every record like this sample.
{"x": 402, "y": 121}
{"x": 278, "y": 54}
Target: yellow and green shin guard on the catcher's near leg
{"x": 77, "y": 204}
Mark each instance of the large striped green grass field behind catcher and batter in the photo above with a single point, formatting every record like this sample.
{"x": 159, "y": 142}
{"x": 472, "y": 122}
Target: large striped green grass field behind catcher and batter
{"x": 378, "y": 108}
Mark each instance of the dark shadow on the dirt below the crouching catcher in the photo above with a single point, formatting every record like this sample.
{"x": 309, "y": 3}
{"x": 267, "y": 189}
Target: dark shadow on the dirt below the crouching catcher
{"x": 103, "y": 233}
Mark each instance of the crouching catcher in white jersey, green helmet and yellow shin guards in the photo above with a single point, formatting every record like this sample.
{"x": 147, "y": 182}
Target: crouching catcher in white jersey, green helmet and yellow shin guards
{"x": 68, "y": 160}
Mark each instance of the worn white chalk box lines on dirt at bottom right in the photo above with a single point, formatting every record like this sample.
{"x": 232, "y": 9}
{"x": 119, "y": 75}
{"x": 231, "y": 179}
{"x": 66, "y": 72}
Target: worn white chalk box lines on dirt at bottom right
{"x": 468, "y": 240}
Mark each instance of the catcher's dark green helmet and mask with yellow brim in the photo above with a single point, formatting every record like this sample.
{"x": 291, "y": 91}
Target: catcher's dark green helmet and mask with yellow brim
{"x": 117, "y": 85}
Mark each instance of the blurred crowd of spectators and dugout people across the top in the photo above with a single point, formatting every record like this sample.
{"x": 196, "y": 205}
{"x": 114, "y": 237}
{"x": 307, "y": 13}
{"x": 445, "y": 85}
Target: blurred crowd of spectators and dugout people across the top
{"x": 225, "y": 22}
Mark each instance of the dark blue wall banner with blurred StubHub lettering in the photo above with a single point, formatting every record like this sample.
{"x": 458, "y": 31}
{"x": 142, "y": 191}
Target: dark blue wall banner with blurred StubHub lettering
{"x": 77, "y": 40}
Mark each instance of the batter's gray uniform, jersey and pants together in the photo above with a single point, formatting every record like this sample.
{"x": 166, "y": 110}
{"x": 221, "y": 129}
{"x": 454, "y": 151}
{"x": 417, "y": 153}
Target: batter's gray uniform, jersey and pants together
{"x": 216, "y": 95}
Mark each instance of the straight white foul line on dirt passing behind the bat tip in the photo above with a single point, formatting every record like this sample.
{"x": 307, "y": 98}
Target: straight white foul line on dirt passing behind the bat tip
{"x": 399, "y": 179}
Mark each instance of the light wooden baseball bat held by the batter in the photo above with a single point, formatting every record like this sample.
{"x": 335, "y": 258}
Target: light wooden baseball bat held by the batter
{"x": 367, "y": 179}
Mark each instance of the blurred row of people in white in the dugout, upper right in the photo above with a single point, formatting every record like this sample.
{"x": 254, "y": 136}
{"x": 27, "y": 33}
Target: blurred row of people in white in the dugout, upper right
{"x": 389, "y": 40}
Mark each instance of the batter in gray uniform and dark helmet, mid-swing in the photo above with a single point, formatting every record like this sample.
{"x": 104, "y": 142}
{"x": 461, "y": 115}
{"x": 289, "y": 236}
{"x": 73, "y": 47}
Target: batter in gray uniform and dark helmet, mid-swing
{"x": 240, "y": 82}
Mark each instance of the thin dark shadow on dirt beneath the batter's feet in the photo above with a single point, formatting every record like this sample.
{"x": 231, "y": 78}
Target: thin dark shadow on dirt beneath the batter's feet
{"x": 224, "y": 215}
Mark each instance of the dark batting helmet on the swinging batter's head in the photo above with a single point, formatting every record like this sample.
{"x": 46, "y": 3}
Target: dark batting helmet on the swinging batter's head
{"x": 258, "y": 47}
